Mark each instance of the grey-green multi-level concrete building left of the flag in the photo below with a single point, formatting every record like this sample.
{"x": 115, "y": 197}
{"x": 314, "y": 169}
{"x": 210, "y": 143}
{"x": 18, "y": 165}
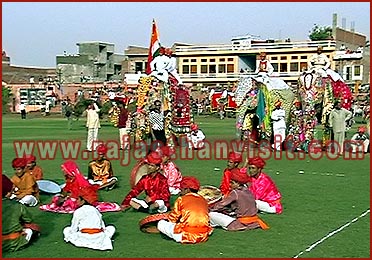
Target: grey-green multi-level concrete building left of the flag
{"x": 95, "y": 62}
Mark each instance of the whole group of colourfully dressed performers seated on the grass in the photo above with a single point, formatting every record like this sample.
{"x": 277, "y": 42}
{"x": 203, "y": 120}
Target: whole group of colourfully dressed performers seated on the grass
{"x": 247, "y": 191}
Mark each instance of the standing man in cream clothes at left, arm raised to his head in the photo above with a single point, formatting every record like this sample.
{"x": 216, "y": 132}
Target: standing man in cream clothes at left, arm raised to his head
{"x": 93, "y": 126}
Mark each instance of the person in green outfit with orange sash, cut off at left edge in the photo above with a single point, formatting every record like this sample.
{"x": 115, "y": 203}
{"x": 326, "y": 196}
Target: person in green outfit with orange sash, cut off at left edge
{"x": 18, "y": 229}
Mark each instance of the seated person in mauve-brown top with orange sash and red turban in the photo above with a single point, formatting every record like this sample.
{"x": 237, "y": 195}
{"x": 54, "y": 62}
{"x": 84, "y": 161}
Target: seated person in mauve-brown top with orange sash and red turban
{"x": 238, "y": 210}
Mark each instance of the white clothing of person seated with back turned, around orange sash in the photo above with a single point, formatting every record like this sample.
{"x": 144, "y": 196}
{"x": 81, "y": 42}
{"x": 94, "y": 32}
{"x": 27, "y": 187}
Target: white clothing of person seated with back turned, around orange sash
{"x": 88, "y": 216}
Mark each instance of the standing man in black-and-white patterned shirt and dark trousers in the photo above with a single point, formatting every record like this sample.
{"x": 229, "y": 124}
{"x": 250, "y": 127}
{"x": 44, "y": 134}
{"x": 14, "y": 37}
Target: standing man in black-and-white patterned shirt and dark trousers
{"x": 156, "y": 119}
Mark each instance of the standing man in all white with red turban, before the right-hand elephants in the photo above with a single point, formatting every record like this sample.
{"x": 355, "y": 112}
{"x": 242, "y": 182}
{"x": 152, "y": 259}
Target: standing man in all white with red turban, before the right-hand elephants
{"x": 279, "y": 127}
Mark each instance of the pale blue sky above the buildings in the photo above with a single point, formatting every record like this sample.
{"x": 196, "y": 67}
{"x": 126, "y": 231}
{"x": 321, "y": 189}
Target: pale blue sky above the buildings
{"x": 33, "y": 34}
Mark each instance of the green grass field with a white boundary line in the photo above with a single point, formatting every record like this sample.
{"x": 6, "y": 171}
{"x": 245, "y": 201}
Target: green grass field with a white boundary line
{"x": 330, "y": 196}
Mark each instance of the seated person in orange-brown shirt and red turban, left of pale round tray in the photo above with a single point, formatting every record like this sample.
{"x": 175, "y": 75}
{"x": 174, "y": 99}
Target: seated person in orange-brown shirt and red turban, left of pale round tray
{"x": 25, "y": 189}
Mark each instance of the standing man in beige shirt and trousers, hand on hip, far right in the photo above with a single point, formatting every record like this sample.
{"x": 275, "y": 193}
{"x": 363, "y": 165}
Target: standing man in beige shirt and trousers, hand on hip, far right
{"x": 337, "y": 121}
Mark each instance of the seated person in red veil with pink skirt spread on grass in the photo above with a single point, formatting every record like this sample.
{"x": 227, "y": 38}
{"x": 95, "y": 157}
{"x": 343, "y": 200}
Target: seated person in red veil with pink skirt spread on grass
{"x": 66, "y": 202}
